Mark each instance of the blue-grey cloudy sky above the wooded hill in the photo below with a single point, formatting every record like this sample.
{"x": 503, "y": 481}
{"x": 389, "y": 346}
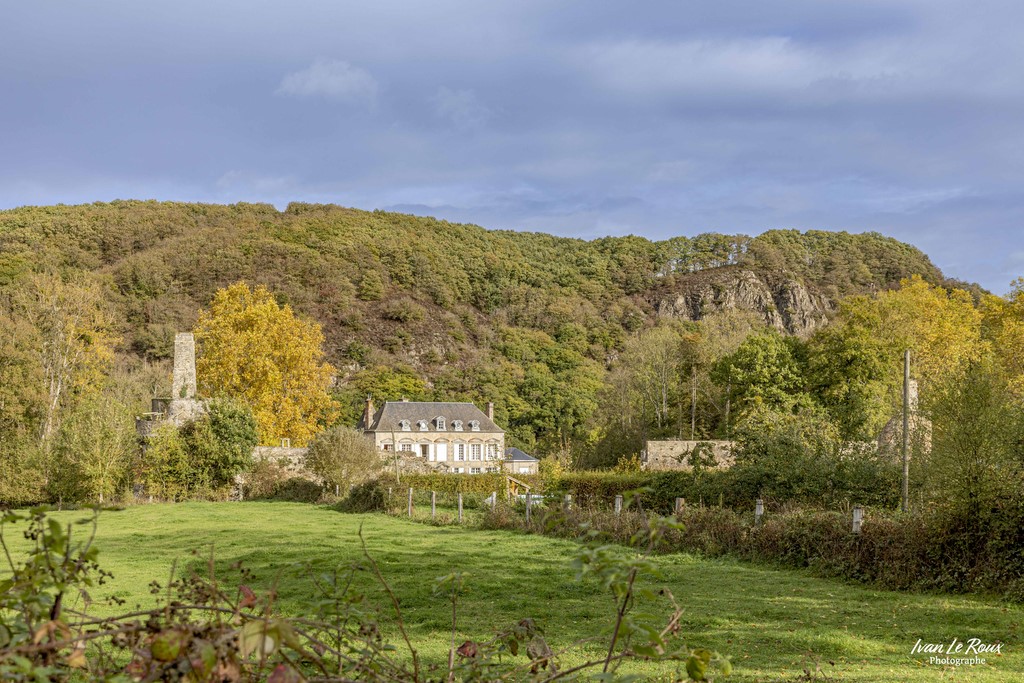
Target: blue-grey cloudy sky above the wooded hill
{"x": 578, "y": 118}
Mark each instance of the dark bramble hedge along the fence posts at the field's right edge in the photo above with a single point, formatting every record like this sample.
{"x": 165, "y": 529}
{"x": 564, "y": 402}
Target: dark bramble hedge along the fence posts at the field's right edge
{"x": 937, "y": 549}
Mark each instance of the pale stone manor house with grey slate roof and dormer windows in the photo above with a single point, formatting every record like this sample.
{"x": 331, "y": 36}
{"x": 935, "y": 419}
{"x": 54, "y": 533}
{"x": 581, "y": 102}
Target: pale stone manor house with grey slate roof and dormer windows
{"x": 459, "y": 438}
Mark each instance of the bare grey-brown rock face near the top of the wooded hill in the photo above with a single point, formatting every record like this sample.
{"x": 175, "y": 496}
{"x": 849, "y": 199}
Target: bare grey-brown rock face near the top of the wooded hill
{"x": 788, "y": 307}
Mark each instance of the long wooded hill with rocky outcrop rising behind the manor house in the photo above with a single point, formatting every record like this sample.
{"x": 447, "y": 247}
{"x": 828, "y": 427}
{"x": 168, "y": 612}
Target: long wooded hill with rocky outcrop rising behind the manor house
{"x": 468, "y": 311}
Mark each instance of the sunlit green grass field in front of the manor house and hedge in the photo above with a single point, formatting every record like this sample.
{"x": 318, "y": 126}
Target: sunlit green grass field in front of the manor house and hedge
{"x": 773, "y": 623}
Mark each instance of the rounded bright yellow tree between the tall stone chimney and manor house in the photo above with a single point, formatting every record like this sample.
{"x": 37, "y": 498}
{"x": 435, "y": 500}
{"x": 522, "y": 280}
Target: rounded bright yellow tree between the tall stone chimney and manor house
{"x": 258, "y": 352}
